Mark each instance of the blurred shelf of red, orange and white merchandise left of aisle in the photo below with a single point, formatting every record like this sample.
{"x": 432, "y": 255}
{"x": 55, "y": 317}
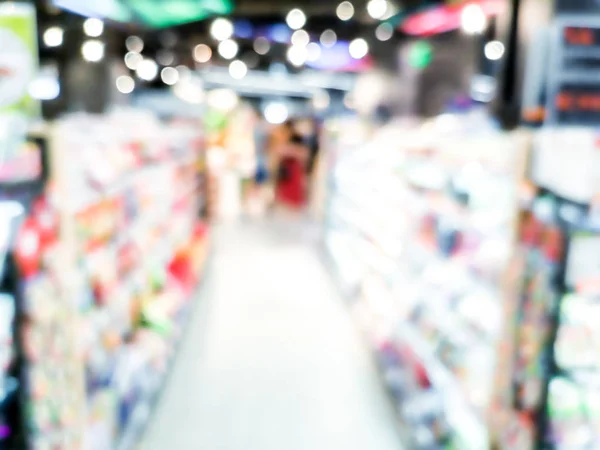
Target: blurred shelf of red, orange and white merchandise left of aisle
{"x": 109, "y": 259}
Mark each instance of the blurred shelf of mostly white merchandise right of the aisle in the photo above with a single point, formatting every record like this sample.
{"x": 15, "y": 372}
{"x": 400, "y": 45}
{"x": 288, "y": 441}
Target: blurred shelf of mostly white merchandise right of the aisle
{"x": 420, "y": 229}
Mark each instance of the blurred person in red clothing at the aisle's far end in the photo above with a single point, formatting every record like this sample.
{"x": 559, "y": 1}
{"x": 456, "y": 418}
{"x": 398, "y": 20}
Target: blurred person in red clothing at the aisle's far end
{"x": 293, "y": 155}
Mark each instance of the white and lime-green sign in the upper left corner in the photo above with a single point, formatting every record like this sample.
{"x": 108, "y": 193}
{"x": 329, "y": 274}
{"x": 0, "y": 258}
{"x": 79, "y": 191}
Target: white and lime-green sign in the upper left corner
{"x": 18, "y": 58}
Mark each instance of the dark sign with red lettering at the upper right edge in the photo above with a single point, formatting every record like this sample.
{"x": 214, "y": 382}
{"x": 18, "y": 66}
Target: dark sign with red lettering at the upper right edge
{"x": 573, "y": 96}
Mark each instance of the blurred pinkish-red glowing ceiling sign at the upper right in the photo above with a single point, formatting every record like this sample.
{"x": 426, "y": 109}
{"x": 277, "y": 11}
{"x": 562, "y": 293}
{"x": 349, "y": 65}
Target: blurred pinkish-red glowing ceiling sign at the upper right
{"x": 446, "y": 18}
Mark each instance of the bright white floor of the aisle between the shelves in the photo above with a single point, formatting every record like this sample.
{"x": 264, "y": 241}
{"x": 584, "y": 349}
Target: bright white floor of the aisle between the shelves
{"x": 272, "y": 361}
